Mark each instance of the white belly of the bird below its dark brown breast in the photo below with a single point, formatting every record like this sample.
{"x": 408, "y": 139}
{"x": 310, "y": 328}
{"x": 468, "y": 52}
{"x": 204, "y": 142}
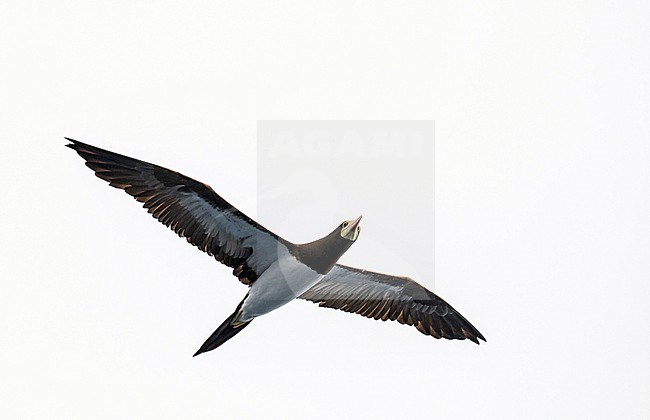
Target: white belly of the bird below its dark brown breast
{"x": 282, "y": 282}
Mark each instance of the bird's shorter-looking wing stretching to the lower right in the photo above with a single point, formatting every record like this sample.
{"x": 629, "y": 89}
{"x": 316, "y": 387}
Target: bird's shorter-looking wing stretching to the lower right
{"x": 384, "y": 297}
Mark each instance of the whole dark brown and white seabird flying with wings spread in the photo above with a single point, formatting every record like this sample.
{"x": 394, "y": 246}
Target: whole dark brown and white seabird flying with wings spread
{"x": 276, "y": 270}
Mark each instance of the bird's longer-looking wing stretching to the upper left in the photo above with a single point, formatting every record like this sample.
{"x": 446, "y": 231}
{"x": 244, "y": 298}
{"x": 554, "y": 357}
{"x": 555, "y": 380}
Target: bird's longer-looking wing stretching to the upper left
{"x": 191, "y": 209}
